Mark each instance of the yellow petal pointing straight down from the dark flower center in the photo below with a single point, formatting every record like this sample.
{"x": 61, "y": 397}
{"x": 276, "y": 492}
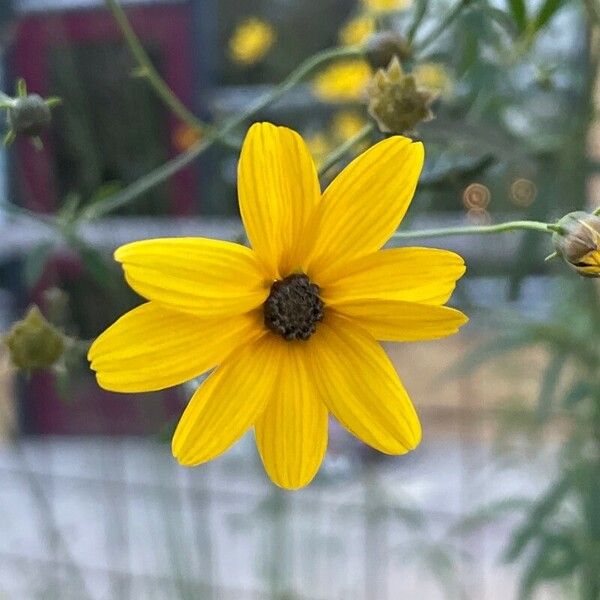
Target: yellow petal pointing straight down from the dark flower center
{"x": 291, "y": 434}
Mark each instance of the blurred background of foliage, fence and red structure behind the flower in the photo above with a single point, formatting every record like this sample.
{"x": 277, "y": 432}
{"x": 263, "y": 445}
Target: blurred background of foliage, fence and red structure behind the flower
{"x": 501, "y": 499}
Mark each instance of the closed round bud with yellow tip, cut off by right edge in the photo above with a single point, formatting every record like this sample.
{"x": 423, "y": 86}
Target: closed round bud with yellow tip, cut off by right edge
{"x": 578, "y": 242}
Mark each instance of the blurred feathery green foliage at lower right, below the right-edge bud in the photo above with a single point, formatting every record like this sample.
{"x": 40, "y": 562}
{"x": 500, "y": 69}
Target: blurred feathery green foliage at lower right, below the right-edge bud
{"x": 557, "y": 537}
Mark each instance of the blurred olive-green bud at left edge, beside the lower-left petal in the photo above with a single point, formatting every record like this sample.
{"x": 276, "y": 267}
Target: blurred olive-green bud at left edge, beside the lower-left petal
{"x": 34, "y": 343}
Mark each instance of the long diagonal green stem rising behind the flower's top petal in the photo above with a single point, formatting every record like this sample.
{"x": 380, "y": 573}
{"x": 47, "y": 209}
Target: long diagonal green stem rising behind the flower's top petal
{"x": 154, "y": 178}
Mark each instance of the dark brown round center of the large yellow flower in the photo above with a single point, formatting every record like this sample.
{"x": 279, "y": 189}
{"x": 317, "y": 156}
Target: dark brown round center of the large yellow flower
{"x": 293, "y": 307}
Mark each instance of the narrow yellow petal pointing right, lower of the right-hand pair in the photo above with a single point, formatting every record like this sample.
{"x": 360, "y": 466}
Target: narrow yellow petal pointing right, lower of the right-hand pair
{"x": 398, "y": 321}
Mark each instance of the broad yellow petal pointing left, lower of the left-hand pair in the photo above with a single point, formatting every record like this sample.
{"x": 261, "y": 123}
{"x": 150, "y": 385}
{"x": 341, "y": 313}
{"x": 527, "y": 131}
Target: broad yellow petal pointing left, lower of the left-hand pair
{"x": 151, "y": 348}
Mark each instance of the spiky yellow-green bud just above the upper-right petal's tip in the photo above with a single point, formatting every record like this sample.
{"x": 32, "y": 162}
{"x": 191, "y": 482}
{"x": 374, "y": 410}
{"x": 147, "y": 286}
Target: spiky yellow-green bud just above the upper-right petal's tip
{"x": 395, "y": 102}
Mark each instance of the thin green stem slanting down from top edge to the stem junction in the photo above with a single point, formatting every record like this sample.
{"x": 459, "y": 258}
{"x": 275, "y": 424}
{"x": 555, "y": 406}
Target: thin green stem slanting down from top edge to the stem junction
{"x": 147, "y": 70}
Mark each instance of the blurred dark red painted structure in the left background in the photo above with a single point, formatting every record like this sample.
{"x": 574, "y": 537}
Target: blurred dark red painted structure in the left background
{"x": 168, "y": 29}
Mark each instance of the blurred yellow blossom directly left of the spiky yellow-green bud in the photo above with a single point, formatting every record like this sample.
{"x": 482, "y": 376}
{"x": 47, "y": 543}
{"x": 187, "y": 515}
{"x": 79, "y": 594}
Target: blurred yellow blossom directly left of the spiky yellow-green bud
{"x": 343, "y": 81}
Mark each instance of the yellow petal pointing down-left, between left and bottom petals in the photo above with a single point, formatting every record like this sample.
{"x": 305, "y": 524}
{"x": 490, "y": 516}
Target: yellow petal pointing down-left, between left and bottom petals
{"x": 228, "y": 403}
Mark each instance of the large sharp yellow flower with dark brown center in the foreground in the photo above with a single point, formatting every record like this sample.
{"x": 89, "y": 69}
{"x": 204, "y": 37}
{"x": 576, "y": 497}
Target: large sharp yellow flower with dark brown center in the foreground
{"x": 292, "y": 324}
